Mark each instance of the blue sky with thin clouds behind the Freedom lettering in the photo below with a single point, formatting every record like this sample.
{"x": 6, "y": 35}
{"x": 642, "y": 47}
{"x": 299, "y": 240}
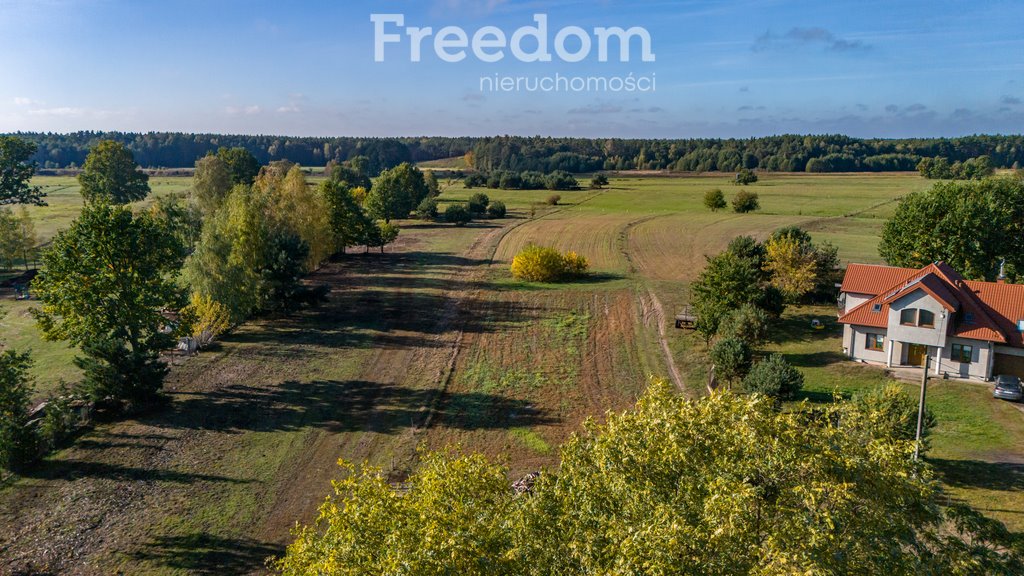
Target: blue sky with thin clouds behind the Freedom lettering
{"x": 723, "y": 69}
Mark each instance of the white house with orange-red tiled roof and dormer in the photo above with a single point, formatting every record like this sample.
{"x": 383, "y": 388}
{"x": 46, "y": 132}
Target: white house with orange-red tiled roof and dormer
{"x": 898, "y": 317}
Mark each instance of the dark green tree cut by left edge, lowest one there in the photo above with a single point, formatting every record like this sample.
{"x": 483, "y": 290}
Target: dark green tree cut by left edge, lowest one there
{"x": 18, "y": 443}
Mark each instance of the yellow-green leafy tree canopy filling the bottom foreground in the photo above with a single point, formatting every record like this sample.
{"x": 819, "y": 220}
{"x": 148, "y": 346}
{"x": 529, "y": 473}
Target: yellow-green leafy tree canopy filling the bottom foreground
{"x": 726, "y": 485}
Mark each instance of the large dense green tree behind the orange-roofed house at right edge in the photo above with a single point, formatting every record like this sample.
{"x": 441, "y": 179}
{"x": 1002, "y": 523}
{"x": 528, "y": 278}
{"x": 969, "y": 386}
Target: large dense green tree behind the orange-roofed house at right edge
{"x": 972, "y": 226}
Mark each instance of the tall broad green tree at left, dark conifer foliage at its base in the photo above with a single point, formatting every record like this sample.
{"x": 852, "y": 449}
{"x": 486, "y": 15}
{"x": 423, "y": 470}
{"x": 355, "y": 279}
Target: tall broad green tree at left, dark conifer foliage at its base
{"x": 103, "y": 287}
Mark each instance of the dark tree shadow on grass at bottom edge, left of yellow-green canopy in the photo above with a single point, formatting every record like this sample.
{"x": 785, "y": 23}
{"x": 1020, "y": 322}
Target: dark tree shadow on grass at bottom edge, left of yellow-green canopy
{"x": 204, "y": 554}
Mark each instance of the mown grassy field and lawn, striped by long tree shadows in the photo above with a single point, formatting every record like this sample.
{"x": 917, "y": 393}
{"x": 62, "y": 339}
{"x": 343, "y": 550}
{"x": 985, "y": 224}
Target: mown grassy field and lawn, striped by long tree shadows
{"x": 434, "y": 345}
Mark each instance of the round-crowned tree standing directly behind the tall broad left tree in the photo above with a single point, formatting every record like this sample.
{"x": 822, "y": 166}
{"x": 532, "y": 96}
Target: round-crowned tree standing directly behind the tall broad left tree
{"x": 111, "y": 175}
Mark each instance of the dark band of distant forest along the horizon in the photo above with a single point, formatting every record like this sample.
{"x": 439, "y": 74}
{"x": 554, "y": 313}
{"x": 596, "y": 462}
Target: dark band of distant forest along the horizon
{"x": 786, "y": 153}
